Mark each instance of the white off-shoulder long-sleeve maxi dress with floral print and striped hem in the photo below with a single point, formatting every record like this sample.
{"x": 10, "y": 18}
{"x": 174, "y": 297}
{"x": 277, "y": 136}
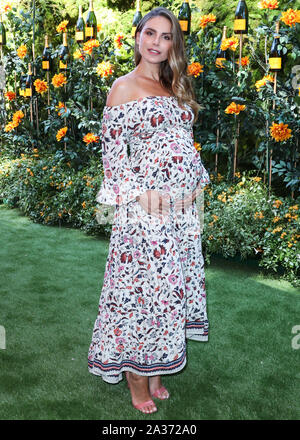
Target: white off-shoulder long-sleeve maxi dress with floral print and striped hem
{"x": 153, "y": 296}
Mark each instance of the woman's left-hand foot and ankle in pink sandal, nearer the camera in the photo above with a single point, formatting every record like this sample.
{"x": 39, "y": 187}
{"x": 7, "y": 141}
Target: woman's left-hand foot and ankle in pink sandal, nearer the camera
{"x": 139, "y": 388}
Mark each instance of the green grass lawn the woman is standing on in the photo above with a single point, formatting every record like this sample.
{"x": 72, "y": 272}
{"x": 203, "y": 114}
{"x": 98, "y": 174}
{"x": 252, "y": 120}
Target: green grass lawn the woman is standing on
{"x": 51, "y": 279}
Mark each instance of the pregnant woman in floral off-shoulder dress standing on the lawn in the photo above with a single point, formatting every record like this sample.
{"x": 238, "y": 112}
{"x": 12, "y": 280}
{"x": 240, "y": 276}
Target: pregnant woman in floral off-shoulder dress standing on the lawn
{"x": 153, "y": 295}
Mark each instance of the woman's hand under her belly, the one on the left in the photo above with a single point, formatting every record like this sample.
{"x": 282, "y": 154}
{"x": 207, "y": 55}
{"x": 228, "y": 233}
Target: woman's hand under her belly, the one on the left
{"x": 155, "y": 203}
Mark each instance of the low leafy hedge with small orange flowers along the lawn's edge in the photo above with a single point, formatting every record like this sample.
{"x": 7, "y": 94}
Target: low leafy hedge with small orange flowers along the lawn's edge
{"x": 240, "y": 218}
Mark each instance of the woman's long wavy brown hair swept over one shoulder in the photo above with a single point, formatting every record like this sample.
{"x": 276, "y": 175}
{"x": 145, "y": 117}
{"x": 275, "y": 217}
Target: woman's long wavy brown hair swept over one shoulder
{"x": 173, "y": 71}
